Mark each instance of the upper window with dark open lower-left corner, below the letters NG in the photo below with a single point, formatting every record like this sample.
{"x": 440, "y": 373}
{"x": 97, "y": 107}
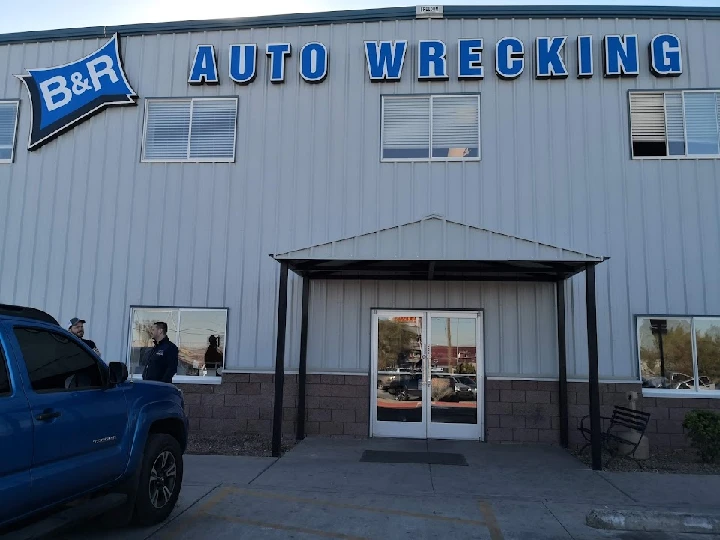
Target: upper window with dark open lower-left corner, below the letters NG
{"x": 677, "y": 124}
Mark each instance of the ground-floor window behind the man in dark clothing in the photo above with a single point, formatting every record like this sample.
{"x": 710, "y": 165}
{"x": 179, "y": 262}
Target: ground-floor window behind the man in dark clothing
{"x": 199, "y": 334}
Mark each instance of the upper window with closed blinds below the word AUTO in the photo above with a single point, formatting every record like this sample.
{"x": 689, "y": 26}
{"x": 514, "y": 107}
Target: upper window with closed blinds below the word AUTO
{"x": 190, "y": 130}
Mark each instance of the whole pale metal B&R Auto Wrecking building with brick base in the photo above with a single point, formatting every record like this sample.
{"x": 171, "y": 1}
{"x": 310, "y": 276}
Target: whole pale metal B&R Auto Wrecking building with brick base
{"x": 433, "y": 173}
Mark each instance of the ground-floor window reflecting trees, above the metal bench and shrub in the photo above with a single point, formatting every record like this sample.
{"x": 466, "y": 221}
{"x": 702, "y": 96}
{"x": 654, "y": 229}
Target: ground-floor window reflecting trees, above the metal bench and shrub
{"x": 679, "y": 353}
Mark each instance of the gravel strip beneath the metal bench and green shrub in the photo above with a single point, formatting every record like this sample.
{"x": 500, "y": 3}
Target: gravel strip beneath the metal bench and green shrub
{"x": 684, "y": 461}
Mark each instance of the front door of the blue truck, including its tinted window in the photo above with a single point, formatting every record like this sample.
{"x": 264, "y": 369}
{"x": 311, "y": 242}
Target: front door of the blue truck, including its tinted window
{"x": 80, "y": 423}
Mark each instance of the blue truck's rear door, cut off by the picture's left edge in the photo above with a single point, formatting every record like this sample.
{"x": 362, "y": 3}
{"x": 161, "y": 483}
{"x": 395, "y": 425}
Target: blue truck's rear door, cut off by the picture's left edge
{"x": 16, "y": 438}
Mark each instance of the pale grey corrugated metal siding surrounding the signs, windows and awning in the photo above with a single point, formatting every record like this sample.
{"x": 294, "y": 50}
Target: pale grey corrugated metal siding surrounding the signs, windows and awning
{"x": 88, "y": 230}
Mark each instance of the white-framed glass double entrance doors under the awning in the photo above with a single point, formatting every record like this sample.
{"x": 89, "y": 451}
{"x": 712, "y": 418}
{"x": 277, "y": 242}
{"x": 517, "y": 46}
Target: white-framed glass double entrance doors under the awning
{"x": 427, "y": 374}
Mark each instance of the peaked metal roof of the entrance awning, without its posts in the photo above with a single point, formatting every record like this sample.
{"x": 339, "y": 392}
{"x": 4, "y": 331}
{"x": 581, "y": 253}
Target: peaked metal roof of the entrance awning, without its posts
{"x": 435, "y": 248}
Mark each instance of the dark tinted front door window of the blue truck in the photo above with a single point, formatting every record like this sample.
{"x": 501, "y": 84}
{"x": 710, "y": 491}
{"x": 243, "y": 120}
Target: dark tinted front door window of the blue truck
{"x": 55, "y": 363}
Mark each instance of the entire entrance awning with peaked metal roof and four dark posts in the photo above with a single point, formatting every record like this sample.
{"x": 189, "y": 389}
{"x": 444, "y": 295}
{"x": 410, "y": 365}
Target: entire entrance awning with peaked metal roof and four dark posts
{"x": 435, "y": 248}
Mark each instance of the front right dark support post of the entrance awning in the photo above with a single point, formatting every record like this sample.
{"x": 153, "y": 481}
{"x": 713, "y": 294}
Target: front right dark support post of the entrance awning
{"x": 591, "y": 307}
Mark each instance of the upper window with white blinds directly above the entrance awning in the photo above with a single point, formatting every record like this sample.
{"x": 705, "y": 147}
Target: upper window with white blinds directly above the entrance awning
{"x": 431, "y": 128}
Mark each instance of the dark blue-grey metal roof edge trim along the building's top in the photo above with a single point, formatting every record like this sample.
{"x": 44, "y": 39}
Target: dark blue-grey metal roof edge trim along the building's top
{"x": 366, "y": 15}
